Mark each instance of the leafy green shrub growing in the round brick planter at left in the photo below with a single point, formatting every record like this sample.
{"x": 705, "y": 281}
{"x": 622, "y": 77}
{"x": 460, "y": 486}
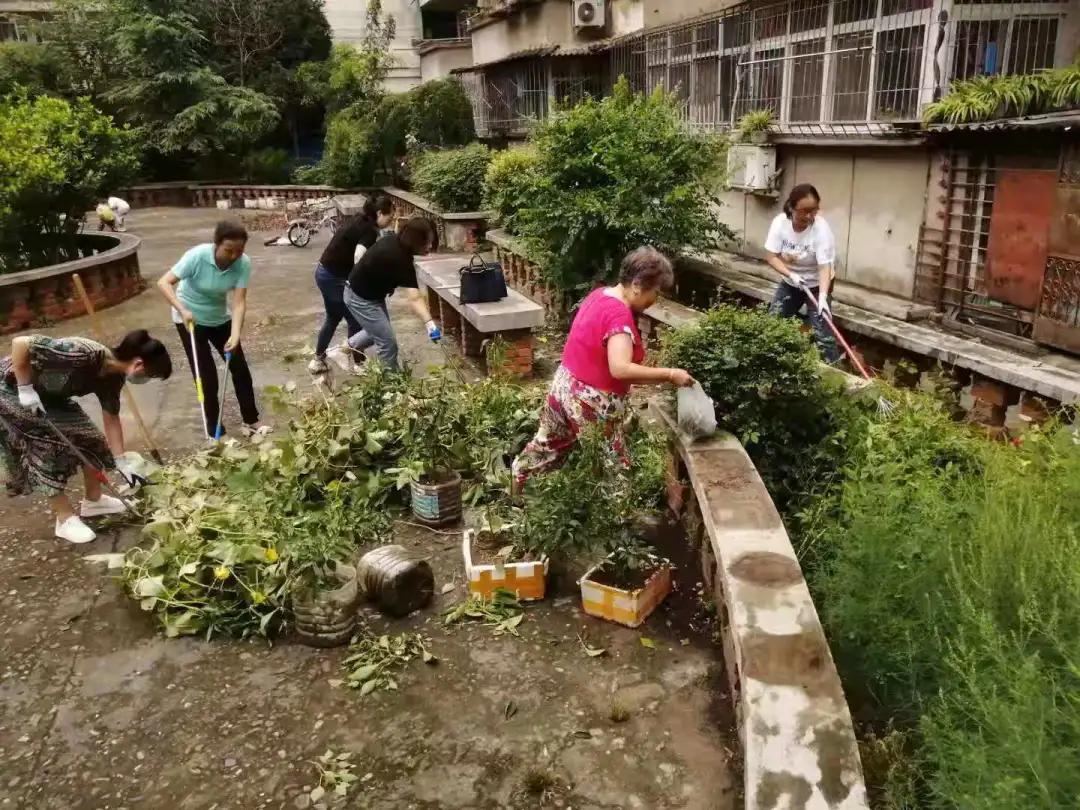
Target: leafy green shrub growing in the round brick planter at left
{"x": 57, "y": 158}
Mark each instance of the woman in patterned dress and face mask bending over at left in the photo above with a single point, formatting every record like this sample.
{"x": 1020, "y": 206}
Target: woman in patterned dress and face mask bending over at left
{"x": 37, "y": 384}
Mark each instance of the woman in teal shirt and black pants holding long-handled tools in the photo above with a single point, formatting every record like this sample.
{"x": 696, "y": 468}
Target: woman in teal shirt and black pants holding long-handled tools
{"x": 198, "y": 288}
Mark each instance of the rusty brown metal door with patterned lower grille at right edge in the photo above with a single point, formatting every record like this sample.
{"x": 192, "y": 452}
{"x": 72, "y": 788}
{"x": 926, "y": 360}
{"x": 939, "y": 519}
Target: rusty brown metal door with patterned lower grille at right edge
{"x": 1058, "y": 321}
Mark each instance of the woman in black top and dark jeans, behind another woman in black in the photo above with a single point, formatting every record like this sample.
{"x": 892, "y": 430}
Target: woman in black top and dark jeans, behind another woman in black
{"x": 333, "y": 271}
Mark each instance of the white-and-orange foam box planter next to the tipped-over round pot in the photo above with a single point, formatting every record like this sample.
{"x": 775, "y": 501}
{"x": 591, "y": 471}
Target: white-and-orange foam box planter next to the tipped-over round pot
{"x": 499, "y": 557}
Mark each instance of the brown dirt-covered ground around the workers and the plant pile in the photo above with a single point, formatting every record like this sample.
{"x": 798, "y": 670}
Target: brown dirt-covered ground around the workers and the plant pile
{"x": 99, "y": 711}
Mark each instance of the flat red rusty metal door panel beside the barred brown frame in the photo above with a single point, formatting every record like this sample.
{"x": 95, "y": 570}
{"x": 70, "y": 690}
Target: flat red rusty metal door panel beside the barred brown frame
{"x": 1024, "y": 205}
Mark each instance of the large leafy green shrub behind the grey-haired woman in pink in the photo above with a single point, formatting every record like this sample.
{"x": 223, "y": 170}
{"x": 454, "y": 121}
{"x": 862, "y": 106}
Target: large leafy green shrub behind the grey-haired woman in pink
{"x": 615, "y": 174}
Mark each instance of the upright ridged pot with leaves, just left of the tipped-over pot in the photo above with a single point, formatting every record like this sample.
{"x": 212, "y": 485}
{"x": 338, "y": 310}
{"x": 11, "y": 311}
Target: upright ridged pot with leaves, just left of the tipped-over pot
{"x": 325, "y": 588}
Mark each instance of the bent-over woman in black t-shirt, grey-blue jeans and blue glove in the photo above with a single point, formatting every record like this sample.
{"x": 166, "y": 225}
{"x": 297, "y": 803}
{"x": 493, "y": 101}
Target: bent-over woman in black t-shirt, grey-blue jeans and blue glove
{"x": 382, "y": 271}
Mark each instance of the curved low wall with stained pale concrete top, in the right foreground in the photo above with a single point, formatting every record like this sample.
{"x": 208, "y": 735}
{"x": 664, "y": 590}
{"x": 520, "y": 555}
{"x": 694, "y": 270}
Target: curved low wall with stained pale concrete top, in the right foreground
{"x": 799, "y": 744}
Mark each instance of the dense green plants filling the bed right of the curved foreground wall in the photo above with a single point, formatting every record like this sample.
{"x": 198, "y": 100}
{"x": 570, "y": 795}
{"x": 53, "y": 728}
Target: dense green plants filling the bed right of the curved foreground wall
{"x": 944, "y": 568}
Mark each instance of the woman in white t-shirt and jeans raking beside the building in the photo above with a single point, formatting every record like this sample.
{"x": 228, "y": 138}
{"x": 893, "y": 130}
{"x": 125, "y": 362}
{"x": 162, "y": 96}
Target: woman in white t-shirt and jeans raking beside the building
{"x": 802, "y": 249}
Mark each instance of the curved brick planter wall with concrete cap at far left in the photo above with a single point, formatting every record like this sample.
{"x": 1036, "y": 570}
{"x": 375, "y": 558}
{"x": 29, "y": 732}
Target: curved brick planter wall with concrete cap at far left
{"x": 109, "y": 268}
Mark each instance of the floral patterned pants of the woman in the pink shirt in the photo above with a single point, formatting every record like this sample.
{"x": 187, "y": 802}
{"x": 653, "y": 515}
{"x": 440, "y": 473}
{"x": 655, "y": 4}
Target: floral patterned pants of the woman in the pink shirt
{"x": 571, "y": 407}
